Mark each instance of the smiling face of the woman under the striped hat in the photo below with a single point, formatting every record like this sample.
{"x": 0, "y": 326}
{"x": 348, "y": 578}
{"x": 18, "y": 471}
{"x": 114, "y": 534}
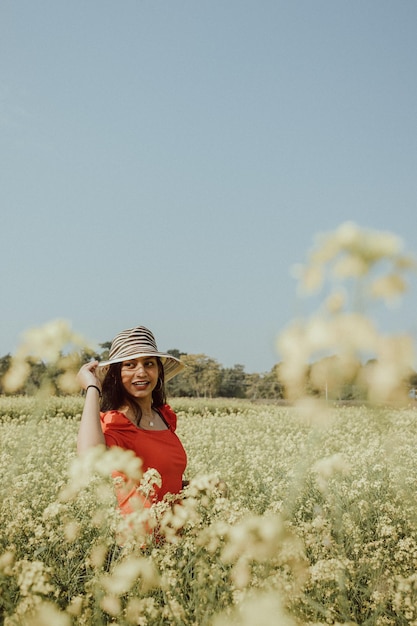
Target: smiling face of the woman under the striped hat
{"x": 140, "y": 376}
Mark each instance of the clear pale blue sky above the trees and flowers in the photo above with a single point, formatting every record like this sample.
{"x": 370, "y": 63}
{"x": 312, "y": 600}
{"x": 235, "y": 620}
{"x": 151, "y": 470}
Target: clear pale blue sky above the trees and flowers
{"x": 166, "y": 162}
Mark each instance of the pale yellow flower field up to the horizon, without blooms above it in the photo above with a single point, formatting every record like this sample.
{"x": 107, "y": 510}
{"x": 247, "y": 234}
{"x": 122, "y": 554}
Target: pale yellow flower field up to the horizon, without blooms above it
{"x": 317, "y": 525}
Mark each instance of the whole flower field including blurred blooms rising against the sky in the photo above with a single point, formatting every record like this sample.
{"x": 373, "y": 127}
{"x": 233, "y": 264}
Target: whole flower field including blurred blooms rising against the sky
{"x": 303, "y": 514}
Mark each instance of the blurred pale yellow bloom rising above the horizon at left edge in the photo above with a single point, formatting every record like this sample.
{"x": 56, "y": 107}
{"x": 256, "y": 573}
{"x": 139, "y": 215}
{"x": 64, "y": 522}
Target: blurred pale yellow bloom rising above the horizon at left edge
{"x": 53, "y": 343}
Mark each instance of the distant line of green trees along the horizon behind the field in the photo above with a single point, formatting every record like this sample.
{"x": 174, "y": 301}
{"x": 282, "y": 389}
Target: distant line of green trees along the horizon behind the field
{"x": 204, "y": 377}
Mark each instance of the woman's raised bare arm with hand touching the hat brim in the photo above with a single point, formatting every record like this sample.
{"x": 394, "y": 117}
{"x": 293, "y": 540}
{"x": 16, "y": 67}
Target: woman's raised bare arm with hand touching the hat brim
{"x": 90, "y": 433}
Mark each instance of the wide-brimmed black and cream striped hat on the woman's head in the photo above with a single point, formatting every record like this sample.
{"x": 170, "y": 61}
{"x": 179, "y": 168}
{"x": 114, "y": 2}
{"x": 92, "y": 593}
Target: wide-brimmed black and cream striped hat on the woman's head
{"x": 137, "y": 342}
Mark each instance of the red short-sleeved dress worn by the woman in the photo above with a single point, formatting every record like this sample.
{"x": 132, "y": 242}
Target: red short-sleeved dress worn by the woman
{"x": 158, "y": 449}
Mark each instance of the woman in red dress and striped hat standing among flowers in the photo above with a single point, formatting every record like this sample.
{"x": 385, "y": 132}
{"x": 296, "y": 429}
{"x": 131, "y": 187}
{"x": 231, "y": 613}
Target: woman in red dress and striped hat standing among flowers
{"x": 125, "y": 406}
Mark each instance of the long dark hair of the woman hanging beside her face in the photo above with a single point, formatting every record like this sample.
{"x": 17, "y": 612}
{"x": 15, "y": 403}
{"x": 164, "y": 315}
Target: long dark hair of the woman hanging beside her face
{"x": 114, "y": 394}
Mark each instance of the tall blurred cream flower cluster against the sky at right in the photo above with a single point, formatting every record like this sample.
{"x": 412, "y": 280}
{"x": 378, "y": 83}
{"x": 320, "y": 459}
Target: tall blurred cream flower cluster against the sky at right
{"x": 372, "y": 264}
